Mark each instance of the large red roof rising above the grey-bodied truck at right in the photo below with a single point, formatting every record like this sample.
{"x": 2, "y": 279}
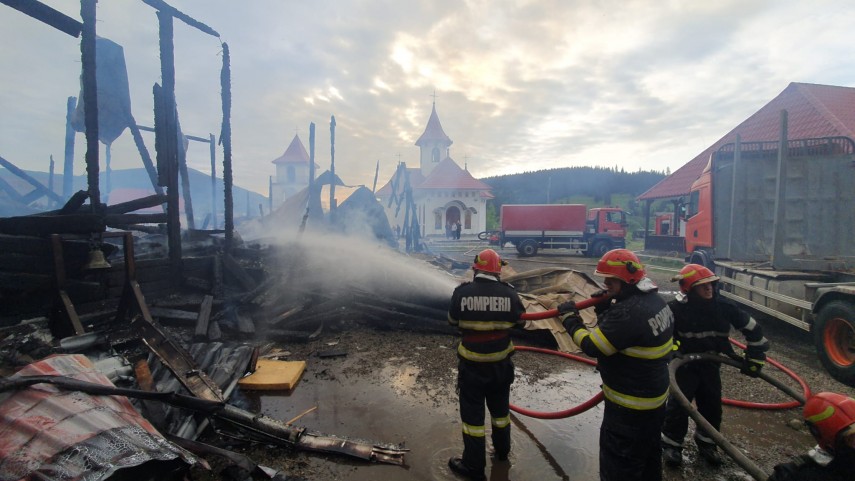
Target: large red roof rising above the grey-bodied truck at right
{"x": 813, "y": 111}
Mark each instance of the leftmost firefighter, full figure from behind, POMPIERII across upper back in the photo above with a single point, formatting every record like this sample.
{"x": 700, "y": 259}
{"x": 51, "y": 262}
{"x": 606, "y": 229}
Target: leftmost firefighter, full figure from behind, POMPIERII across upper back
{"x": 484, "y": 310}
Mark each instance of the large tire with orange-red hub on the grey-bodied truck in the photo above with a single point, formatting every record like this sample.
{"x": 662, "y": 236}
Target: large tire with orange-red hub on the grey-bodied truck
{"x": 834, "y": 339}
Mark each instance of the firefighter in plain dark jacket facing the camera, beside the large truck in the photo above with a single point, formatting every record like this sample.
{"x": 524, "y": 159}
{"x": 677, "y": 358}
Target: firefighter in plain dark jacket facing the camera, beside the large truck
{"x": 702, "y": 324}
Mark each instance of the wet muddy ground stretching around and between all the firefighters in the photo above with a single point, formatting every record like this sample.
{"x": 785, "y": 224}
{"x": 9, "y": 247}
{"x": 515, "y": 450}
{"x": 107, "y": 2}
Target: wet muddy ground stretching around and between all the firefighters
{"x": 398, "y": 387}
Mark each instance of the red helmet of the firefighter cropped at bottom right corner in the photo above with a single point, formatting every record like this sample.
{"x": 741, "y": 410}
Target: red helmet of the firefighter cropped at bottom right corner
{"x": 827, "y": 415}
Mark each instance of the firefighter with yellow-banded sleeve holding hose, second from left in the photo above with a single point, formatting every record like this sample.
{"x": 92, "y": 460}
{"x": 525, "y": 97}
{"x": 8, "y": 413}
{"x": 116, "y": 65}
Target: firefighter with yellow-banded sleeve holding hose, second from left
{"x": 632, "y": 344}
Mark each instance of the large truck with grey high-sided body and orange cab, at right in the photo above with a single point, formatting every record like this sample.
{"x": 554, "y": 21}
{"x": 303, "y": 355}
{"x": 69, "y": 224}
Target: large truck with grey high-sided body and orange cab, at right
{"x": 776, "y": 222}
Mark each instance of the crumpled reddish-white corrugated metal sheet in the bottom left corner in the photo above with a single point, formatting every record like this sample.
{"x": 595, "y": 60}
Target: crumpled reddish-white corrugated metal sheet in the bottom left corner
{"x": 51, "y": 434}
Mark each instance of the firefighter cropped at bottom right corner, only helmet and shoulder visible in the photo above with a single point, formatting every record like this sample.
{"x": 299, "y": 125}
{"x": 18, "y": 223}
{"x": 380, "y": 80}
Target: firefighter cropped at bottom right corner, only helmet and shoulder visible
{"x": 831, "y": 419}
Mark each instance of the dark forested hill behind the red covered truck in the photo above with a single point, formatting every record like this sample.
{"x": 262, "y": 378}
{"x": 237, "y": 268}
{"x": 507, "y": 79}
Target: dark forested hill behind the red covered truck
{"x": 560, "y": 186}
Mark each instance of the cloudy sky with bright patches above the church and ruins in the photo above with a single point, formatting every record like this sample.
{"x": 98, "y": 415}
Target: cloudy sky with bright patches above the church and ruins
{"x": 519, "y": 85}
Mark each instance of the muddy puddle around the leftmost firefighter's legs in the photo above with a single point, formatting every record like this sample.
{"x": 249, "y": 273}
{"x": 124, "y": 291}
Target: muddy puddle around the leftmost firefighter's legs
{"x": 399, "y": 402}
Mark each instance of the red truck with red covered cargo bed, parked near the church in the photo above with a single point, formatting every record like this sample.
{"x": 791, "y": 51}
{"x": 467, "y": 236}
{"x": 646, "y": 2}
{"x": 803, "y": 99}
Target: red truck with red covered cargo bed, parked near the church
{"x": 532, "y": 227}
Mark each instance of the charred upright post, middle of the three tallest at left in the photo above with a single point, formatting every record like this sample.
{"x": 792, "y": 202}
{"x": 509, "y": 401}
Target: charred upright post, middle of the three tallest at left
{"x": 169, "y": 130}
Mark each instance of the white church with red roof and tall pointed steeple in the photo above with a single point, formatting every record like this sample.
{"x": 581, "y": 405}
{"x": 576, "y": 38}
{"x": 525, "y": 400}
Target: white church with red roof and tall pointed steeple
{"x": 444, "y": 194}
